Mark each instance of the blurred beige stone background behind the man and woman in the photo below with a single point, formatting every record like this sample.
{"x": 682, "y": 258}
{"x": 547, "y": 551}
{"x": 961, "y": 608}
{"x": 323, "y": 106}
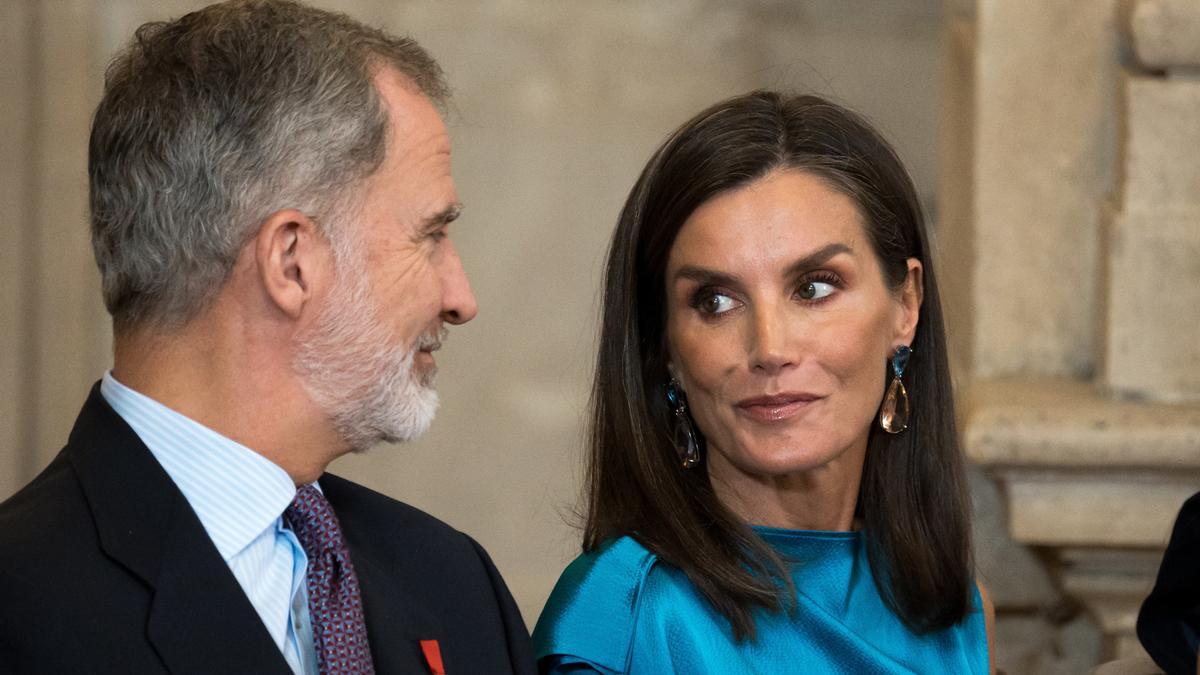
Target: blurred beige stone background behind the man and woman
{"x": 1054, "y": 145}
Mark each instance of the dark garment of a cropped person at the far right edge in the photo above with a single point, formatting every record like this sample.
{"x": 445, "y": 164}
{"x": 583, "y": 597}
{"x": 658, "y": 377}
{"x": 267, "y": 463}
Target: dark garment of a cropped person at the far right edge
{"x": 1169, "y": 623}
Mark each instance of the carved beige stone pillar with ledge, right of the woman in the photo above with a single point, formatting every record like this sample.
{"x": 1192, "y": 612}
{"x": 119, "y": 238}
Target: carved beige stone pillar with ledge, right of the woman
{"x": 1082, "y": 222}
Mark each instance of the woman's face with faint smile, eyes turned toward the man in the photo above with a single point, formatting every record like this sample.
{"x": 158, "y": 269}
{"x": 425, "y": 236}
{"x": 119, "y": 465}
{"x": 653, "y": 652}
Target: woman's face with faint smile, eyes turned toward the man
{"x": 779, "y": 327}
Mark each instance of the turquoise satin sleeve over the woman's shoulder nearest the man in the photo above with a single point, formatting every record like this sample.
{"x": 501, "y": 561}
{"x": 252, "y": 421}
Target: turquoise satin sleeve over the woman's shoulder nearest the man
{"x": 593, "y": 613}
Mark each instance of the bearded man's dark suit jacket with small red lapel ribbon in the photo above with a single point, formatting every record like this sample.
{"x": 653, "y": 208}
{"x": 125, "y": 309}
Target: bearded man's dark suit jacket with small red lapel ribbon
{"x": 106, "y": 569}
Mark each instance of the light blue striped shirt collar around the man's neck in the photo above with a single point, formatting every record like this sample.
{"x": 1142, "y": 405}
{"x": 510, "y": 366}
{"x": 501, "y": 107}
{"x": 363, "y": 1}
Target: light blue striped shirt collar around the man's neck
{"x": 236, "y": 492}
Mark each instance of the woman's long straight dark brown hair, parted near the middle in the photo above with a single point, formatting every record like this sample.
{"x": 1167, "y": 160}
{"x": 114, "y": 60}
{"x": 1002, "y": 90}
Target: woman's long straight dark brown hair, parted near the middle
{"x": 913, "y": 503}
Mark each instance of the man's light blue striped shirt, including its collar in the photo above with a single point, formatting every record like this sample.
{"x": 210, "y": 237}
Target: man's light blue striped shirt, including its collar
{"x": 239, "y": 497}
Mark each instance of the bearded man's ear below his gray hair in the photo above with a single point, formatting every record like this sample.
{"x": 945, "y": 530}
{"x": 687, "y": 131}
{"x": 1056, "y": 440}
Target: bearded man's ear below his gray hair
{"x": 291, "y": 256}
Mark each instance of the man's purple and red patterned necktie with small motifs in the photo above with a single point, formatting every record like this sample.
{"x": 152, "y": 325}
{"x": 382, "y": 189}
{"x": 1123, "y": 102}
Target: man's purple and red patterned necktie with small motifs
{"x": 339, "y": 632}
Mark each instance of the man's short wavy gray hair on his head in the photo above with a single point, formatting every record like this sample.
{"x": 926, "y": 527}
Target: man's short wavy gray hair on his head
{"x": 212, "y": 123}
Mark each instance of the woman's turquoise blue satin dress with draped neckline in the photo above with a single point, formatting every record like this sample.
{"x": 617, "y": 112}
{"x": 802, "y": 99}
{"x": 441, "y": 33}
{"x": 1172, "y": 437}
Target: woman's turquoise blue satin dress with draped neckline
{"x": 621, "y": 611}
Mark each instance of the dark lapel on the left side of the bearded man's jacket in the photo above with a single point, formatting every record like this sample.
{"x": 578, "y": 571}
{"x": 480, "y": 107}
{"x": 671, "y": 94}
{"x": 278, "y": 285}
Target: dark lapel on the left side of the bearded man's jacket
{"x": 200, "y": 619}
